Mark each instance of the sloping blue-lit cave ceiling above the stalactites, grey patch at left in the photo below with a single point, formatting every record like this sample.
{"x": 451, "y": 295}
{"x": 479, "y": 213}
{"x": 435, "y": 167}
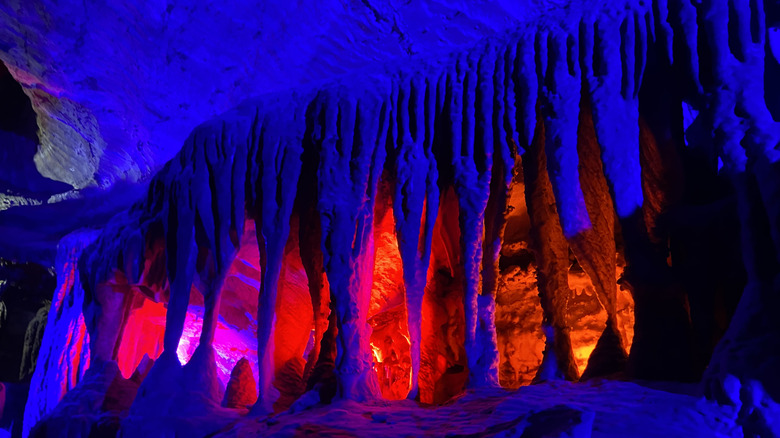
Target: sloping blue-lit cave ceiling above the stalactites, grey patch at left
{"x": 117, "y": 88}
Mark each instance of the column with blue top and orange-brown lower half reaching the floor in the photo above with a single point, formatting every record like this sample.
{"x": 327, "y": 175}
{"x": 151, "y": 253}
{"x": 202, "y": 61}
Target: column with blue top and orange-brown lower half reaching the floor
{"x": 556, "y": 204}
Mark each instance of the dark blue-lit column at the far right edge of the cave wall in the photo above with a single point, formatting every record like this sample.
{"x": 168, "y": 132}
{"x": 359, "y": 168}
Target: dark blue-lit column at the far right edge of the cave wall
{"x": 746, "y": 139}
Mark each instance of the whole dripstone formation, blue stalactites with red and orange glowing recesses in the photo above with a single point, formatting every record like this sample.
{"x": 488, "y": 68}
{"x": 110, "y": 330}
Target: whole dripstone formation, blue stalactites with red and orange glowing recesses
{"x": 506, "y": 214}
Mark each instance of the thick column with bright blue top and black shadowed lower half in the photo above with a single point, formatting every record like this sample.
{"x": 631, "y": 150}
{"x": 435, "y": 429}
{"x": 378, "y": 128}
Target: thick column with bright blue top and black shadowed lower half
{"x": 615, "y": 52}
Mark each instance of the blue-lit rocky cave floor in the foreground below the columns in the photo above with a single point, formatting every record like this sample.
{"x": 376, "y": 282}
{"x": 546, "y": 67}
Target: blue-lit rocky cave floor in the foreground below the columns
{"x": 596, "y": 408}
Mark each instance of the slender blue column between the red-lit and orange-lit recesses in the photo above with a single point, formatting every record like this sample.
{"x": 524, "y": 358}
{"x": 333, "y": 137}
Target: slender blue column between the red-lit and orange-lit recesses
{"x": 470, "y": 88}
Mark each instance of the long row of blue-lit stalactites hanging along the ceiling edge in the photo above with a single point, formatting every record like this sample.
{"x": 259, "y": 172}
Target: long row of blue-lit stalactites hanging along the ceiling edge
{"x": 454, "y": 122}
